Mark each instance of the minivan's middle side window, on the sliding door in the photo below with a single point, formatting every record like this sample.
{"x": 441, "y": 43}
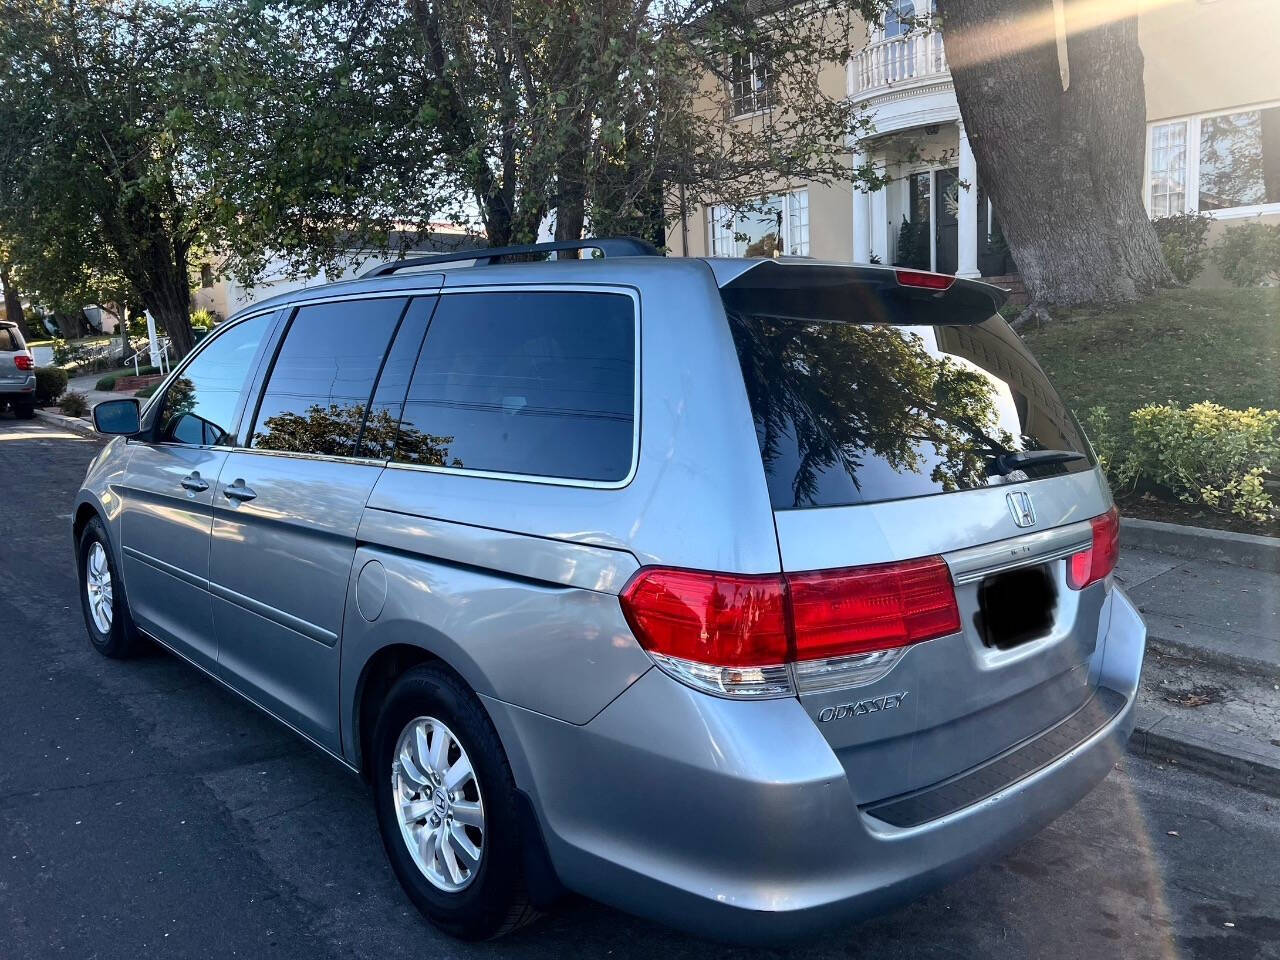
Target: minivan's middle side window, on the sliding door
{"x": 323, "y": 377}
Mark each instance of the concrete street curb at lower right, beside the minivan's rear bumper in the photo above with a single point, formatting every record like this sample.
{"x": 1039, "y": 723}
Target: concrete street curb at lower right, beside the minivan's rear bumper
{"x": 1220, "y": 755}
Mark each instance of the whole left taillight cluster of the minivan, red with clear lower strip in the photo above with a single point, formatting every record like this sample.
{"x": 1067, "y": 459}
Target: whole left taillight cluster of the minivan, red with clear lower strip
{"x": 735, "y": 636}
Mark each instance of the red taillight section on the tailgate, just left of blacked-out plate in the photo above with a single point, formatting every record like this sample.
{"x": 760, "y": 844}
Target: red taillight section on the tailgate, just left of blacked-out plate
{"x": 861, "y": 610}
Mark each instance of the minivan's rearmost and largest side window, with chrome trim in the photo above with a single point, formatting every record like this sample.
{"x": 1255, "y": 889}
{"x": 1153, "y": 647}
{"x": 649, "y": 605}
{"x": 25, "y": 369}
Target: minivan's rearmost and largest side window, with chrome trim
{"x": 538, "y": 383}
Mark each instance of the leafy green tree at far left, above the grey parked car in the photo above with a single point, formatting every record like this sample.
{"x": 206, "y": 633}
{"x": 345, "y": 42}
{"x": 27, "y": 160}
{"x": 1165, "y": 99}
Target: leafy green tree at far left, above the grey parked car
{"x": 106, "y": 184}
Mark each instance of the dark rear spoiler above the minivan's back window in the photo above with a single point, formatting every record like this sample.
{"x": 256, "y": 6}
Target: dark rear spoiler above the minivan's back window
{"x": 886, "y": 295}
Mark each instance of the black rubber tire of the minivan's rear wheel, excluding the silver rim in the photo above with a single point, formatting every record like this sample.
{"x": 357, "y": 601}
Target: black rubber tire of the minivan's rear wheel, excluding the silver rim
{"x": 496, "y": 902}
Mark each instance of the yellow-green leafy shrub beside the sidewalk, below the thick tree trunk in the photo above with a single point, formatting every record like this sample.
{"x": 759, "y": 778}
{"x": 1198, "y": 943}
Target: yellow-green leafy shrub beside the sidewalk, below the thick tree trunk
{"x": 1210, "y": 455}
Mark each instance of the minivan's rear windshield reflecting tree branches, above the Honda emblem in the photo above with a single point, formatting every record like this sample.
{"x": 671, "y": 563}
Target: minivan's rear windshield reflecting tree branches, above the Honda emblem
{"x": 852, "y": 413}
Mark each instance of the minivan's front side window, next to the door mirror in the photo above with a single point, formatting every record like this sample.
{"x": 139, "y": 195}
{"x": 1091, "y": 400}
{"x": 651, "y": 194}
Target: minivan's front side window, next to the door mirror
{"x": 200, "y": 404}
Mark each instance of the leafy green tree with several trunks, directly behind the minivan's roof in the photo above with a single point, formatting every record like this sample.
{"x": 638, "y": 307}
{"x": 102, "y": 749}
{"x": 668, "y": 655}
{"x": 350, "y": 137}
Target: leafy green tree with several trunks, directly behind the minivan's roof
{"x": 501, "y": 112}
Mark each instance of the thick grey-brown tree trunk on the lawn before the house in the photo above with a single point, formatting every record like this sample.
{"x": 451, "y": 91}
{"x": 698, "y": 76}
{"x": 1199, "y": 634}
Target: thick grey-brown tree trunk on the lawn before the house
{"x": 1062, "y": 167}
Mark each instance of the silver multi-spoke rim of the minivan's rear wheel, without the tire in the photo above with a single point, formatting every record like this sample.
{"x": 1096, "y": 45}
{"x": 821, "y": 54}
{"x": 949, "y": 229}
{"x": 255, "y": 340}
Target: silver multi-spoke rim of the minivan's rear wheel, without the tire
{"x": 438, "y": 804}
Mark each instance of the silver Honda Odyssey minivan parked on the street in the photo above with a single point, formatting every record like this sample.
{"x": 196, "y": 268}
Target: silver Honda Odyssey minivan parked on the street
{"x": 751, "y": 596}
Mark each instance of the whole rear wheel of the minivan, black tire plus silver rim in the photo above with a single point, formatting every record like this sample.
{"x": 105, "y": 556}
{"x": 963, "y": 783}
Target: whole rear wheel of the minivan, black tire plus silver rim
{"x": 474, "y": 888}
